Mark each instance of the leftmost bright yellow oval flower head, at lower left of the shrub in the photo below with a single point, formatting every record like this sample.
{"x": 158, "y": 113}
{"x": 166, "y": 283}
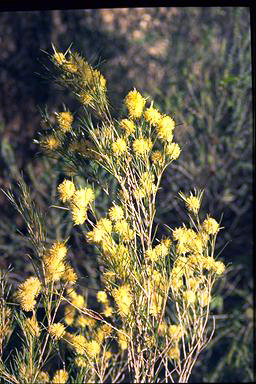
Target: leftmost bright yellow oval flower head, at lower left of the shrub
{"x": 27, "y": 292}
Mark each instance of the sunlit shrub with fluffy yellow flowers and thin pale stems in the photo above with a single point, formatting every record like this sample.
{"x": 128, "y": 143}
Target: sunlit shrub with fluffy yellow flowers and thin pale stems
{"x": 155, "y": 306}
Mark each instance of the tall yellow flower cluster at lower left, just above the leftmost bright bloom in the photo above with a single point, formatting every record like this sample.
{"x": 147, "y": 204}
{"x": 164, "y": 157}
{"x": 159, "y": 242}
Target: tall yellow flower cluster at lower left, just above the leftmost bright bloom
{"x": 54, "y": 262}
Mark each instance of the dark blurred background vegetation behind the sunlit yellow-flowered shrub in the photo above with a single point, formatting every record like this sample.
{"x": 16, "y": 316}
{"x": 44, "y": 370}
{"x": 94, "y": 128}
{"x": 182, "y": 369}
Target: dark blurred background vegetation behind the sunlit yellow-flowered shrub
{"x": 196, "y": 65}
